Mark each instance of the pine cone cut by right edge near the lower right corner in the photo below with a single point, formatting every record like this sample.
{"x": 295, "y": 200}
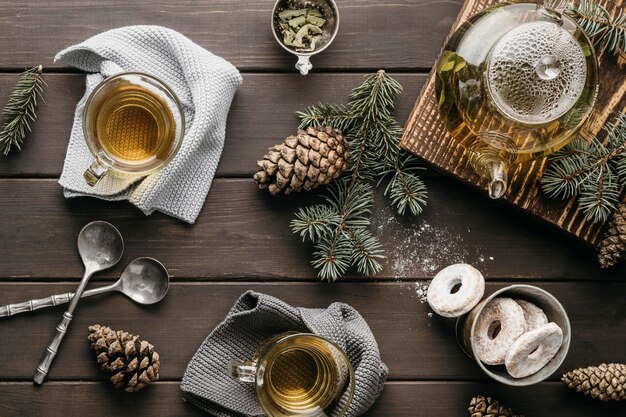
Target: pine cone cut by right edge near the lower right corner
{"x": 604, "y": 382}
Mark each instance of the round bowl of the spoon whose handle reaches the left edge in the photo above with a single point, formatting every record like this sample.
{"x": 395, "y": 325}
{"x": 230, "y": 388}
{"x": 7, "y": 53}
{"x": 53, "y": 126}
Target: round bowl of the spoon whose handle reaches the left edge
{"x": 145, "y": 281}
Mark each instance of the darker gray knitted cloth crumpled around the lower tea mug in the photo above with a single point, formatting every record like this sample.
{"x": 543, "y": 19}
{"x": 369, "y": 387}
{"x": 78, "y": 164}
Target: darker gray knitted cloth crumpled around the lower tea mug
{"x": 255, "y": 318}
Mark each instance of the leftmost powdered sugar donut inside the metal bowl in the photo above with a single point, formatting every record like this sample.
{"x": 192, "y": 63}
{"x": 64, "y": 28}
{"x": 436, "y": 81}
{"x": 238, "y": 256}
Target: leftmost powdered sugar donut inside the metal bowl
{"x": 499, "y": 324}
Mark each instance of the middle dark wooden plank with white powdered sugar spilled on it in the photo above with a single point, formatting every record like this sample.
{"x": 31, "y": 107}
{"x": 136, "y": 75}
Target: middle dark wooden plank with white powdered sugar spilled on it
{"x": 243, "y": 233}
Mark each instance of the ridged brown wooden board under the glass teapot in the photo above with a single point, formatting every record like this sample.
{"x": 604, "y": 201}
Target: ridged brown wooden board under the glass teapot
{"x": 426, "y": 136}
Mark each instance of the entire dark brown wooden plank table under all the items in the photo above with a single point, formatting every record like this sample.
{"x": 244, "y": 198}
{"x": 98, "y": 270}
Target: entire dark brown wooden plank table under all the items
{"x": 242, "y": 238}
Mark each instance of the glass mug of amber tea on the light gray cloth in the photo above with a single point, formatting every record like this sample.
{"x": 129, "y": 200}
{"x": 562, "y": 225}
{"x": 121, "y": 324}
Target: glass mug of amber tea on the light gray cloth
{"x": 133, "y": 123}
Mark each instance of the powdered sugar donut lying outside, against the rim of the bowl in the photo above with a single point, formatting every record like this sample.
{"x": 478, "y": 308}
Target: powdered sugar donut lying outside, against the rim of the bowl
{"x": 448, "y": 304}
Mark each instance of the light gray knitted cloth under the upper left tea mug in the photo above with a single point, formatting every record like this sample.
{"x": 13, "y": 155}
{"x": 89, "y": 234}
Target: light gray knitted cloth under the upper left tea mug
{"x": 205, "y": 85}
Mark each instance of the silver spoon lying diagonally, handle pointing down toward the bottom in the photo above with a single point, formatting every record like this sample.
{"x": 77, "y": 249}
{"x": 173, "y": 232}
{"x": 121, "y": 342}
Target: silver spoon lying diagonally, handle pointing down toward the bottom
{"x": 100, "y": 246}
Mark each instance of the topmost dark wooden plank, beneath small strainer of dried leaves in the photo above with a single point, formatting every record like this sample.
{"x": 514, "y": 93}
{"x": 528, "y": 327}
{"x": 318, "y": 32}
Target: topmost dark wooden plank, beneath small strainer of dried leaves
{"x": 34, "y": 31}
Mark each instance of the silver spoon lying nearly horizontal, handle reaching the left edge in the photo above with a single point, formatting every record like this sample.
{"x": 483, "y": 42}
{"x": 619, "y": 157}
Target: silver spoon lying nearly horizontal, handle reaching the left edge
{"x": 145, "y": 281}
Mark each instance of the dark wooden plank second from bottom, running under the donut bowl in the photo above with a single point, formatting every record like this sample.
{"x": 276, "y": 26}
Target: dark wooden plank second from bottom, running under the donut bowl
{"x": 414, "y": 345}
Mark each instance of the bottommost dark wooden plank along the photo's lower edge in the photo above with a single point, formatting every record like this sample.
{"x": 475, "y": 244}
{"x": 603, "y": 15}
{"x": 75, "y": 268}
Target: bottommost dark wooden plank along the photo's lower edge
{"x": 400, "y": 399}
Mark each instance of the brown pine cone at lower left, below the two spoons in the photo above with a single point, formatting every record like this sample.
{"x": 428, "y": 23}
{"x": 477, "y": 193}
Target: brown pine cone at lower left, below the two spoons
{"x": 133, "y": 361}
